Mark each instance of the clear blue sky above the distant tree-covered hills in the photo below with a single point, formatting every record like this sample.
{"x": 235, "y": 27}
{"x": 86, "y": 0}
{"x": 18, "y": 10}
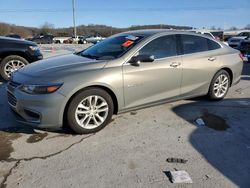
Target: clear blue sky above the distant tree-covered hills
{"x": 195, "y": 13}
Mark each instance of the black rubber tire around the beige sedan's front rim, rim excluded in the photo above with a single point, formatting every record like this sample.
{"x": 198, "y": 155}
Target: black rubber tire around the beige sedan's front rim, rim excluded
{"x": 71, "y": 120}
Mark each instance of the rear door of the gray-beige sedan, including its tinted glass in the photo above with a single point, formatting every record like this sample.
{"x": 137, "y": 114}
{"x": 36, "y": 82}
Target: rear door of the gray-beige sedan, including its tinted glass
{"x": 200, "y": 62}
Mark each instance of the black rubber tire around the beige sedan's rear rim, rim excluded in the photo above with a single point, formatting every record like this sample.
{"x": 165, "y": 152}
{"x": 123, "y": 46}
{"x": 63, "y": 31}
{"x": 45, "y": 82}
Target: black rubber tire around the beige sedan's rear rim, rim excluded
{"x": 211, "y": 93}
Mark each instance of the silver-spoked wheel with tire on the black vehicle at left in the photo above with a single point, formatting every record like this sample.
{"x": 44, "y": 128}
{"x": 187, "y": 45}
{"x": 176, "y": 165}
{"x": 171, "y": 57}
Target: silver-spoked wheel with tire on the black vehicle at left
{"x": 11, "y": 64}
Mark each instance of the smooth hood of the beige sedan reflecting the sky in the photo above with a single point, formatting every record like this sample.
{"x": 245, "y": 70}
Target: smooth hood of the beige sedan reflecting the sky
{"x": 60, "y": 65}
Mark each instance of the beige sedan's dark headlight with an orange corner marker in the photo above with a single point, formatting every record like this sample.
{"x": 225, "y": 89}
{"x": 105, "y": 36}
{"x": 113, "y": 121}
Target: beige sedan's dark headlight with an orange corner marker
{"x": 40, "y": 89}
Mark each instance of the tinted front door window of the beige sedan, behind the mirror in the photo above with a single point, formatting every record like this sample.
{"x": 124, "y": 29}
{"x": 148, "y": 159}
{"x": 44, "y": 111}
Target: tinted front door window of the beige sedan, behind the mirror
{"x": 161, "y": 47}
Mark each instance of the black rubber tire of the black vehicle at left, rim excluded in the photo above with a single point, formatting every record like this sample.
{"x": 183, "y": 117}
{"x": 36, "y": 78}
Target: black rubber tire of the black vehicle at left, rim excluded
{"x": 8, "y": 59}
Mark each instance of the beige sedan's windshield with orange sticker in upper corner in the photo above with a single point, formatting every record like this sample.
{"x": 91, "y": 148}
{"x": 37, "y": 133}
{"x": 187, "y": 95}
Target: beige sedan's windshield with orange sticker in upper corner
{"x": 111, "y": 48}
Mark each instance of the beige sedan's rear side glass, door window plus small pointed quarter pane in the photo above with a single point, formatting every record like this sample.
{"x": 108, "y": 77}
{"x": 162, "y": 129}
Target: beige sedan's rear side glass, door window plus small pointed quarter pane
{"x": 194, "y": 44}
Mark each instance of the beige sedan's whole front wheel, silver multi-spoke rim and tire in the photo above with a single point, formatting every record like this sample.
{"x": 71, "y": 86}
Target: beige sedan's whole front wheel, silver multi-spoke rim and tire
{"x": 90, "y": 111}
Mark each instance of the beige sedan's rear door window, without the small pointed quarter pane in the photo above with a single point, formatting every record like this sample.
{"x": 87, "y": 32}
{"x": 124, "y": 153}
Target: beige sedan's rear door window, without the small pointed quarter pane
{"x": 193, "y": 44}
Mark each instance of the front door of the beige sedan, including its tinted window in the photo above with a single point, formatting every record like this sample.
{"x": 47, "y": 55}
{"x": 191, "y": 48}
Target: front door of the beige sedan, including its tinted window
{"x": 155, "y": 81}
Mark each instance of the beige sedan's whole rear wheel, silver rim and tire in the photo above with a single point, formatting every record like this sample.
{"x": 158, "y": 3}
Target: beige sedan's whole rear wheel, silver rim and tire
{"x": 219, "y": 85}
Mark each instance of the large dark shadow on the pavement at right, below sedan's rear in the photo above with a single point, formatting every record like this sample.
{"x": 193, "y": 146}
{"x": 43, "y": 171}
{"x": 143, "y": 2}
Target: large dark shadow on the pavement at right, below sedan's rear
{"x": 224, "y": 138}
